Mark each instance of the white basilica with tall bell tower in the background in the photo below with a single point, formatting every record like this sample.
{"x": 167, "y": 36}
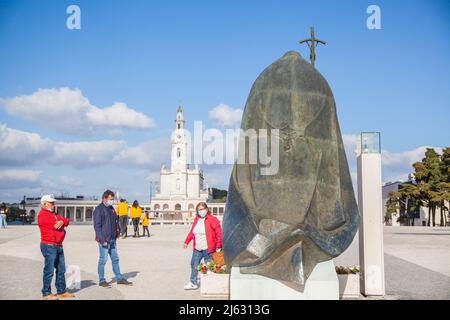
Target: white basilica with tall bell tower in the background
{"x": 181, "y": 187}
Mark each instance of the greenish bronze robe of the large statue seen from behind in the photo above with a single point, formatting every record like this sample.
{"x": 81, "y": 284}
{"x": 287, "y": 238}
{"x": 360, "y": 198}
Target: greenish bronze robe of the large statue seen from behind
{"x": 281, "y": 225}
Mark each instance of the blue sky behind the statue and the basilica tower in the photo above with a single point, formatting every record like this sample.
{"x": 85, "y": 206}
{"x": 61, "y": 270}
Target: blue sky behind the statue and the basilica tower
{"x": 149, "y": 55}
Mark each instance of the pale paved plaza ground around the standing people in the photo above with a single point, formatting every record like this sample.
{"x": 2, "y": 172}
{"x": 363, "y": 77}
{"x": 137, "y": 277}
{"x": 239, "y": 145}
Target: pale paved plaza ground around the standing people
{"x": 417, "y": 263}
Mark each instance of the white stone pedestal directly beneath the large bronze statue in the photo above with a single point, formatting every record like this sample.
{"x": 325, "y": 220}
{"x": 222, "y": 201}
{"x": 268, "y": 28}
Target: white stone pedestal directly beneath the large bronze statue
{"x": 321, "y": 285}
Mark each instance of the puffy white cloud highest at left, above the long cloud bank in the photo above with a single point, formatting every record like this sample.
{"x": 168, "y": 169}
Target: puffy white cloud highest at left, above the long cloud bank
{"x": 66, "y": 110}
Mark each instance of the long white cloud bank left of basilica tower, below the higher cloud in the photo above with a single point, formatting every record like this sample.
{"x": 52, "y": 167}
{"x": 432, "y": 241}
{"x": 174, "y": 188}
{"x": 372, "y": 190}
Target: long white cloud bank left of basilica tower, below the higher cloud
{"x": 21, "y": 148}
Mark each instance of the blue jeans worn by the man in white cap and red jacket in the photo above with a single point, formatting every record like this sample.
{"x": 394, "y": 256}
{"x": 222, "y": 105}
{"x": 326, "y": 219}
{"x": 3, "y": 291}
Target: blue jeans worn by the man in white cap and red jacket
{"x": 54, "y": 259}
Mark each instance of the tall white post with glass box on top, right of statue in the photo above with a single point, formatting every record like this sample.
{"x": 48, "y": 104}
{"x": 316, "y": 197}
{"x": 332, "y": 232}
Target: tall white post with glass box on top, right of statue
{"x": 371, "y": 210}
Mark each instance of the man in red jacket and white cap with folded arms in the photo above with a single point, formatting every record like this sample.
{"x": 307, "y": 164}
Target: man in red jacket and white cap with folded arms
{"x": 52, "y": 230}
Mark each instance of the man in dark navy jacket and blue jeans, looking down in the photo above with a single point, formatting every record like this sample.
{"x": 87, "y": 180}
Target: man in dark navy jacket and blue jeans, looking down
{"x": 106, "y": 225}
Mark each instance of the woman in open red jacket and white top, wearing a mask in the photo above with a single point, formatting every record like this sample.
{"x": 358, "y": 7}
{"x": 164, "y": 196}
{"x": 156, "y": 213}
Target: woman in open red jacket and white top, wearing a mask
{"x": 207, "y": 235}
